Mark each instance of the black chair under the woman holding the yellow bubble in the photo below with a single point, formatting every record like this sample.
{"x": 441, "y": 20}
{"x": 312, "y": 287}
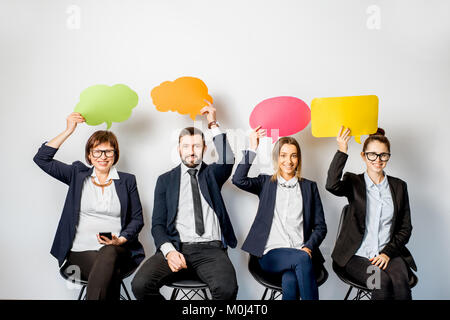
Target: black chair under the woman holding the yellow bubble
{"x": 361, "y": 291}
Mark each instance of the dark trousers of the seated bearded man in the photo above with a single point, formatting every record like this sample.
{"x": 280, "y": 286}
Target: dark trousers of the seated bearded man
{"x": 210, "y": 263}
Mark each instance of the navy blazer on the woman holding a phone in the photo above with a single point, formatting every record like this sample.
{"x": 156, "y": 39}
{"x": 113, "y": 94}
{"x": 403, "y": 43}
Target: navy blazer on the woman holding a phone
{"x": 74, "y": 175}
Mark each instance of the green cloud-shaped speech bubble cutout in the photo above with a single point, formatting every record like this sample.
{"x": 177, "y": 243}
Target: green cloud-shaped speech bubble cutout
{"x": 102, "y": 103}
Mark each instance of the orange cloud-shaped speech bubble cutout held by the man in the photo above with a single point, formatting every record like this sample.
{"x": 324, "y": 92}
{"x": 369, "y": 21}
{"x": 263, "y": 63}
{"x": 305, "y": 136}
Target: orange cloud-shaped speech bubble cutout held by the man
{"x": 185, "y": 95}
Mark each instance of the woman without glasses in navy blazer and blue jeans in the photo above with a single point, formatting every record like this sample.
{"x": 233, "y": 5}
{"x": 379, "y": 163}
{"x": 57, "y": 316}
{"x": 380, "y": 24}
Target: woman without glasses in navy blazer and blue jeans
{"x": 289, "y": 225}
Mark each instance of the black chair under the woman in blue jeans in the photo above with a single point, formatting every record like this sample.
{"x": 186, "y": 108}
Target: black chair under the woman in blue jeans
{"x": 272, "y": 281}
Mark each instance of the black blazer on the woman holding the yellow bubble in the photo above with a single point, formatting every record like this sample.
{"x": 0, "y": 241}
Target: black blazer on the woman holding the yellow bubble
{"x": 353, "y": 227}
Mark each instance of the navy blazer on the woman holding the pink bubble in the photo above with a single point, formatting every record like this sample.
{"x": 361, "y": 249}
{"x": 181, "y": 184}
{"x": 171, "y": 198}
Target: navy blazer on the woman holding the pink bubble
{"x": 314, "y": 227}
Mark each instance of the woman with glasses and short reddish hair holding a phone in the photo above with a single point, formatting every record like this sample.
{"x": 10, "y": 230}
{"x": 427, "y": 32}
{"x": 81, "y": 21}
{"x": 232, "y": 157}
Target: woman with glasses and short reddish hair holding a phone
{"x": 100, "y": 199}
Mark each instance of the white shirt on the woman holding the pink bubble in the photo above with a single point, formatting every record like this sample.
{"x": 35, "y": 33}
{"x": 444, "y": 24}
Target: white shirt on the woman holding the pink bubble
{"x": 287, "y": 223}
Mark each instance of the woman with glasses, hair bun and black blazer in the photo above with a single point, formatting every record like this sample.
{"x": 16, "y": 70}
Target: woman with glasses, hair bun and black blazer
{"x": 377, "y": 225}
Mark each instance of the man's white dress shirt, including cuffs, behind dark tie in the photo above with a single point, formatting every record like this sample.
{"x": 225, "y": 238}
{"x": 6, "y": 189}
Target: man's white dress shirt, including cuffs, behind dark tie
{"x": 185, "y": 220}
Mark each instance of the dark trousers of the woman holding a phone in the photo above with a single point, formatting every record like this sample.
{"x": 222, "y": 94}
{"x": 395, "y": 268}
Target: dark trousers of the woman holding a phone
{"x": 103, "y": 270}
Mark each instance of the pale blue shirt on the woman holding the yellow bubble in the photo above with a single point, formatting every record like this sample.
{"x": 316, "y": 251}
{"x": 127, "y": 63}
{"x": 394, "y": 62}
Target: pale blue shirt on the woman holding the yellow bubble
{"x": 379, "y": 213}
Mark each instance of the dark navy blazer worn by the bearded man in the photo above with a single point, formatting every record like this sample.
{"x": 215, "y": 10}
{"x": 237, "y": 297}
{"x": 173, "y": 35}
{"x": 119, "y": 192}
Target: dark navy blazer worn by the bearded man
{"x": 210, "y": 179}
